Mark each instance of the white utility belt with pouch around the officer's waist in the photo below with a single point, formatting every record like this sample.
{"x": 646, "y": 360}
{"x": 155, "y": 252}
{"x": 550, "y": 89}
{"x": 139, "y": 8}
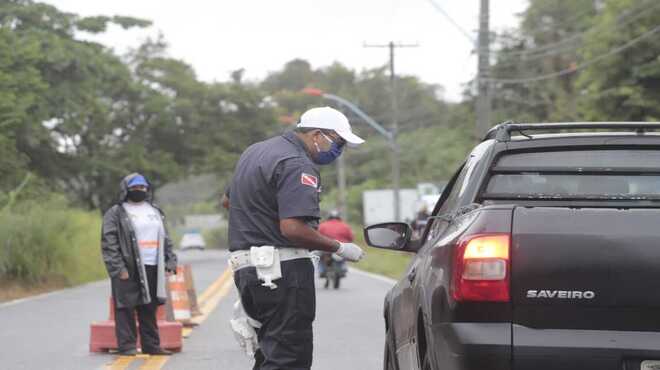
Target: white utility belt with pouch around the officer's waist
{"x": 267, "y": 260}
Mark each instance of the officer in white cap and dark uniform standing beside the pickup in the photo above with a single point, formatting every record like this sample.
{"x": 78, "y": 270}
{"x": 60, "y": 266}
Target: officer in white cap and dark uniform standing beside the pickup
{"x": 273, "y": 200}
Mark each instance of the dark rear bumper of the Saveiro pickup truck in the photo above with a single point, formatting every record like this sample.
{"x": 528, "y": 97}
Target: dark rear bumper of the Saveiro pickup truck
{"x": 486, "y": 346}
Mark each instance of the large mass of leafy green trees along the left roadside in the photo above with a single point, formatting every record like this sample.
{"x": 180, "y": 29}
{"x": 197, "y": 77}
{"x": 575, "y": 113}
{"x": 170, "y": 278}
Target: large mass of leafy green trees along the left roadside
{"x": 82, "y": 117}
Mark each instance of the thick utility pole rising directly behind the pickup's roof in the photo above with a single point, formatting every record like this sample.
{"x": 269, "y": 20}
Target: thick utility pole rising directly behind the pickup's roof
{"x": 483, "y": 73}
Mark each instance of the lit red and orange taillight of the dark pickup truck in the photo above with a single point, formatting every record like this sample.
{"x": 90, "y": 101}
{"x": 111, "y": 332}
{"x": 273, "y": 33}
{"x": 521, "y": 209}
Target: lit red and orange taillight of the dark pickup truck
{"x": 482, "y": 268}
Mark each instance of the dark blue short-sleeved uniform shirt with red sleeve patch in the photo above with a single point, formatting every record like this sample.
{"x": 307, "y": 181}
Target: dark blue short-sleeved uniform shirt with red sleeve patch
{"x": 273, "y": 180}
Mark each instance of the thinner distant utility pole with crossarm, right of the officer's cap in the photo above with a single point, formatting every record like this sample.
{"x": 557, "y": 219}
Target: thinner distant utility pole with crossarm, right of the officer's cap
{"x": 396, "y": 171}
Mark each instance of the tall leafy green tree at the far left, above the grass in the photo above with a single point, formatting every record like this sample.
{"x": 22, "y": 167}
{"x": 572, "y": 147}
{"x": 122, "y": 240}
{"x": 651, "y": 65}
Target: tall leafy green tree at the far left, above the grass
{"x": 58, "y": 93}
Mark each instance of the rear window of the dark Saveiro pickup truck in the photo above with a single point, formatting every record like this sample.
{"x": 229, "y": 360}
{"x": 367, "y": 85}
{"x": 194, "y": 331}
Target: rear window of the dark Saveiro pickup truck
{"x": 599, "y": 174}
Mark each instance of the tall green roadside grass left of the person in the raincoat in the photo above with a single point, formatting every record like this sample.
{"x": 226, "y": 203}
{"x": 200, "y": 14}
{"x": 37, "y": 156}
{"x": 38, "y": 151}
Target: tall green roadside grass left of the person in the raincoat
{"x": 44, "y": 241}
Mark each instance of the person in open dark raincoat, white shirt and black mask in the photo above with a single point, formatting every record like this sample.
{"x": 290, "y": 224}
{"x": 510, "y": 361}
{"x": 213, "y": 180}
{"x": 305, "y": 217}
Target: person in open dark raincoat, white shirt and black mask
{"x": 137, "y": 252}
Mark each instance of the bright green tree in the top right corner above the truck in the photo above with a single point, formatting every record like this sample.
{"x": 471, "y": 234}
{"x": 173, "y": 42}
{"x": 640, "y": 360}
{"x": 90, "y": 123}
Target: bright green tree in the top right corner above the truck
{"x": 624, "y": 86}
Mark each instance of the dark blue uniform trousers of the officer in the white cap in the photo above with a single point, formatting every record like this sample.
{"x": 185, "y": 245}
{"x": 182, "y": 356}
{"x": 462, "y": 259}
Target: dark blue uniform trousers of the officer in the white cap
{"x": 286, "y": 314}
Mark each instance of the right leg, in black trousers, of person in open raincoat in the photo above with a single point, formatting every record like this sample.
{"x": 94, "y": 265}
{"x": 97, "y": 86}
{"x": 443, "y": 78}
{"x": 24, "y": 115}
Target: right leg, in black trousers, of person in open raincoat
{"x": 149, "y": 338}
